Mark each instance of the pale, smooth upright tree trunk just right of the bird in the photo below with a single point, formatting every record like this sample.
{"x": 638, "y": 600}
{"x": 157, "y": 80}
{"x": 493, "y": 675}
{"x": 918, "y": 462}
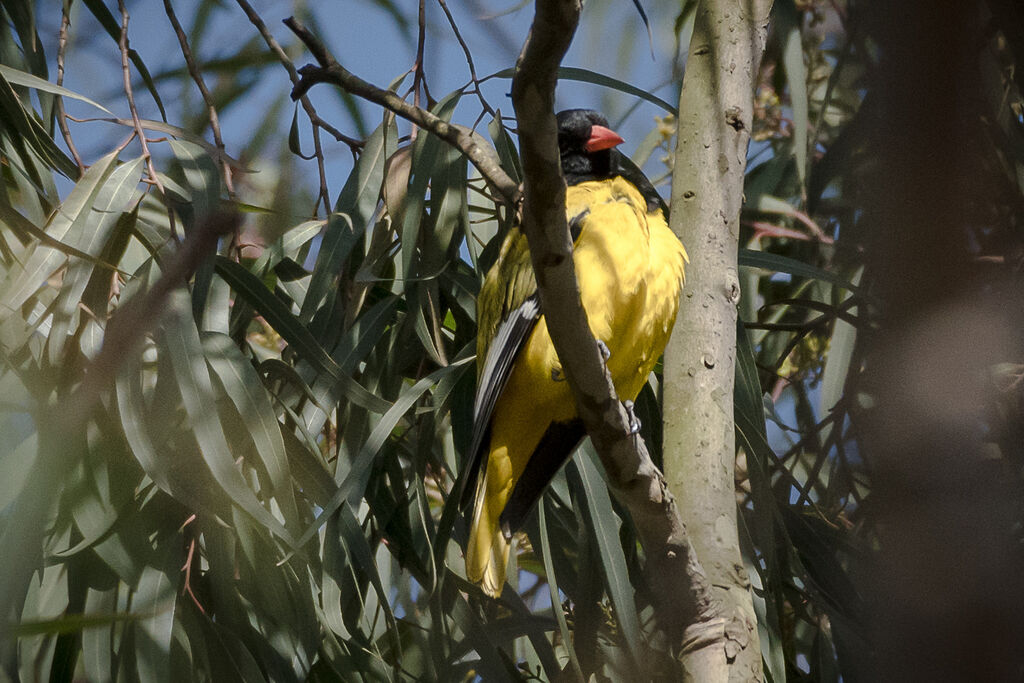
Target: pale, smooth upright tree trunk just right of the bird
{"x": 716, "y": 113}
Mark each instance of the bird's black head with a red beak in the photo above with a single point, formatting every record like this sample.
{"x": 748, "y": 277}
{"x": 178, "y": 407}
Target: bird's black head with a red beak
{"x": 586, "y": 143}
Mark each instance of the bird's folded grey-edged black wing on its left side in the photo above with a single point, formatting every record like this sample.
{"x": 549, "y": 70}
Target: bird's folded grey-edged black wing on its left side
{"x": 502, "y": 353}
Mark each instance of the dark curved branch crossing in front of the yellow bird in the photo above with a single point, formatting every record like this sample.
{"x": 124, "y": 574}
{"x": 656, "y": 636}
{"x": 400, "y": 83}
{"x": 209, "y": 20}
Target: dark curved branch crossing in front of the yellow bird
{"x": 684, "y": 597}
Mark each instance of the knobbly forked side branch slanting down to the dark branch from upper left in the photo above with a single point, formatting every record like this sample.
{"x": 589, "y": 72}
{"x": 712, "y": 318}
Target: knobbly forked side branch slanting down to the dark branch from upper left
{"x": 329, "y": 71}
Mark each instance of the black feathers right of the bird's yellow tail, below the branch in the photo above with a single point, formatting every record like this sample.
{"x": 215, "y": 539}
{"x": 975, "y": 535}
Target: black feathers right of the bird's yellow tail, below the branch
{"x": 557, "y": 446}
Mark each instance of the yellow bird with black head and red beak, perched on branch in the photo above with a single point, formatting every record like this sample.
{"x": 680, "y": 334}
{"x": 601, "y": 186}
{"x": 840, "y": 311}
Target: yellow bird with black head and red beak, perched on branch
{"x": 630, "y": 269}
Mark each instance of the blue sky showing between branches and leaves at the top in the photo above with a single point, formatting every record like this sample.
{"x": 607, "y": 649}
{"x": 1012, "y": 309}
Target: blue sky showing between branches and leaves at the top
{"x": 368, "y": 40}
